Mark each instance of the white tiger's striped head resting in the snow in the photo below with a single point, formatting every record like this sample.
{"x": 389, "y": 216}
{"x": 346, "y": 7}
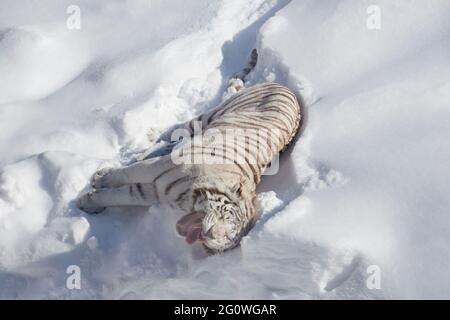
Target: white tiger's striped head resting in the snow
{"x": 219, "y": 219}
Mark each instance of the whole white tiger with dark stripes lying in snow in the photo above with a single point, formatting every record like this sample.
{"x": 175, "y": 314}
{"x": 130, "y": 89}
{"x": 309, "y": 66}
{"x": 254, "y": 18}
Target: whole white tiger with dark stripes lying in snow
{"x": 218, "y": 199}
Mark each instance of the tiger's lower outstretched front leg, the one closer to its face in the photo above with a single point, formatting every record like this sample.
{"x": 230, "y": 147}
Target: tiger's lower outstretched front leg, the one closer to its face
{"x": 129, "y": 195}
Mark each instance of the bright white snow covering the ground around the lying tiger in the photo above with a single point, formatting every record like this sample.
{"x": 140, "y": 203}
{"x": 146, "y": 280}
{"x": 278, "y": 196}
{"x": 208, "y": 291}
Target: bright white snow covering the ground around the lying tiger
{"x": 365, "y": 184}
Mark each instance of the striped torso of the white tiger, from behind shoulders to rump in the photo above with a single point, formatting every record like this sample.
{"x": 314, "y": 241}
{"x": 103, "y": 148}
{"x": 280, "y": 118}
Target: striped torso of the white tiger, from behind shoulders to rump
{"x": 266, "y": 116}
